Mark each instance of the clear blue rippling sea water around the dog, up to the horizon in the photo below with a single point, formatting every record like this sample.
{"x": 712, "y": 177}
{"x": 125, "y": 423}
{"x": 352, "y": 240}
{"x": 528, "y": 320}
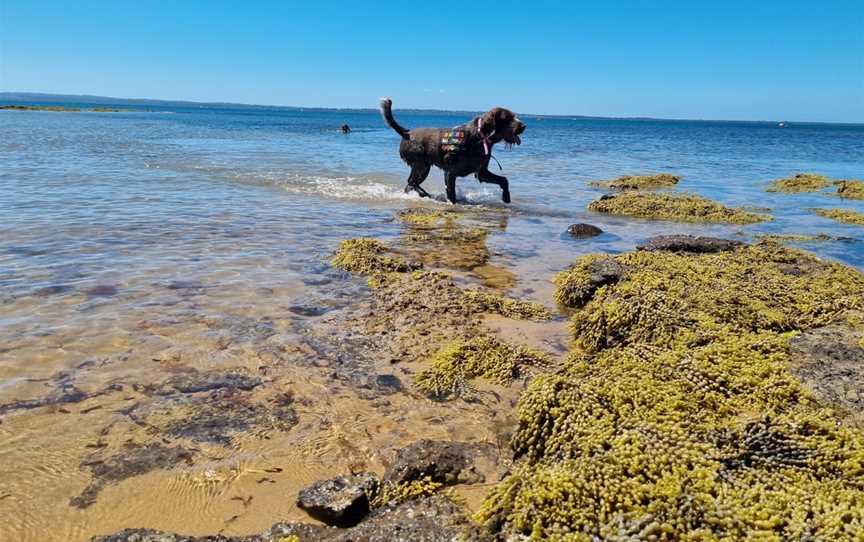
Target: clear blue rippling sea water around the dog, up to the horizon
{"x": 108, "y": 220}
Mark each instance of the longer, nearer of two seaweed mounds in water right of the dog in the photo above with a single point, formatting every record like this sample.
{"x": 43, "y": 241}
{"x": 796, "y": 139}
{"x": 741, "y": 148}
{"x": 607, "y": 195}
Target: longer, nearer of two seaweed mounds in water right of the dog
{"x": 680, "y": 207}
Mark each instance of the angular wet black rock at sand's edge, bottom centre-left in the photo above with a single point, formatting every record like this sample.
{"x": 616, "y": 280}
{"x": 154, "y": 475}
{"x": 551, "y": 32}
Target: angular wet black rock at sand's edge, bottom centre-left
{"x": 342, "y": 501}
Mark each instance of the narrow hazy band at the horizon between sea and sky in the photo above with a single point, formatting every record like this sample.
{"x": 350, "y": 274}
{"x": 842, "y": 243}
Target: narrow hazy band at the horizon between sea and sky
{"x": 156, "y": 101}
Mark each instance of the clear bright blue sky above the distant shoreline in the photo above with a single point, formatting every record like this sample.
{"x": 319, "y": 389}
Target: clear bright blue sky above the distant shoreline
{"x": 795, "y": 60}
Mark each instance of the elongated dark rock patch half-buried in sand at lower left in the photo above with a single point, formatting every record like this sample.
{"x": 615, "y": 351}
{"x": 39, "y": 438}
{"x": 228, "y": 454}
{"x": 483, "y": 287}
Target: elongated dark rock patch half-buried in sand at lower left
{"x": 134, "y": 460}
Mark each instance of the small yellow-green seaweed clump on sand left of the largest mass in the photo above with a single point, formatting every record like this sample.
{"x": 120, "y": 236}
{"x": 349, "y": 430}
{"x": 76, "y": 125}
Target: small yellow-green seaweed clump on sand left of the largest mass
{"x": 457, "y": 363}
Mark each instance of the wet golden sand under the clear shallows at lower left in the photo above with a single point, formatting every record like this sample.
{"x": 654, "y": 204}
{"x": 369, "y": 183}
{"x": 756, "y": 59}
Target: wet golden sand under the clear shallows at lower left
{"x": 185, "y": 422}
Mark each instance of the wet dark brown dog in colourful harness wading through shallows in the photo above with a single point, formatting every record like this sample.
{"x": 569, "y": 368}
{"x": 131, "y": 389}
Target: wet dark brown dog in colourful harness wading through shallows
{"x": 458, "y": 151}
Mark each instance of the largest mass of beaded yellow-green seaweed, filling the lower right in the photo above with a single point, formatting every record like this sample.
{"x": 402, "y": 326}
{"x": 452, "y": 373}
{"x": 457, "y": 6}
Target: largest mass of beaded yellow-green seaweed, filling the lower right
{"x": 679, "y": 420}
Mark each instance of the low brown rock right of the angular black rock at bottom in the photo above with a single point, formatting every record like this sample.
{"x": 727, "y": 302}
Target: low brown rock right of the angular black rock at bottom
{"x": 444, "y": 462}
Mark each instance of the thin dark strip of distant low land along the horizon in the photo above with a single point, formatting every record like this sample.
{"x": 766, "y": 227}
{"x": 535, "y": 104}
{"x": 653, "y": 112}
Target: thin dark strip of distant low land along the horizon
{"x": 38, "y": 97}
